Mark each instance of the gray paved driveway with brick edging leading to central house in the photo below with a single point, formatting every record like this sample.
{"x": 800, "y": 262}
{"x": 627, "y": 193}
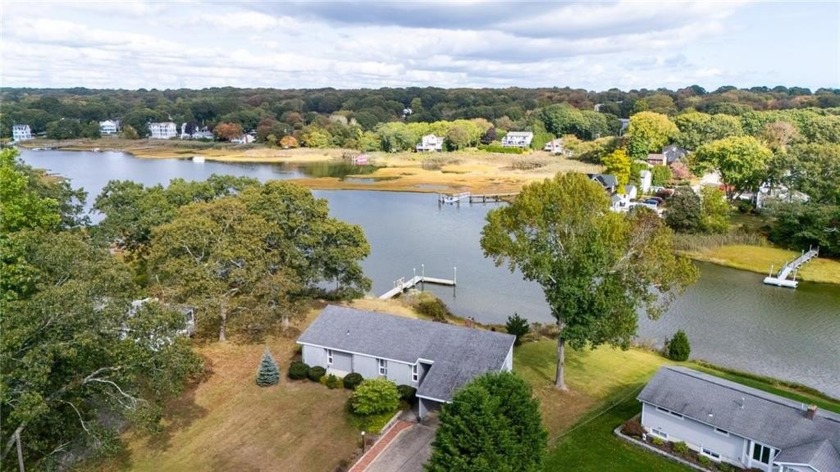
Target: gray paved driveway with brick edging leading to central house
{"x": 407, "y": 452}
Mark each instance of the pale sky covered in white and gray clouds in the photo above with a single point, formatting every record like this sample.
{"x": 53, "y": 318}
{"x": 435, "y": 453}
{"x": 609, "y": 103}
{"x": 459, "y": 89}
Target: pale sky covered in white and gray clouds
{"x": 372, "y": 44}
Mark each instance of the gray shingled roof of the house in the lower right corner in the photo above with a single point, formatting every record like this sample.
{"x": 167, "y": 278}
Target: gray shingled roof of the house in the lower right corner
{"x": 769, "y": 419}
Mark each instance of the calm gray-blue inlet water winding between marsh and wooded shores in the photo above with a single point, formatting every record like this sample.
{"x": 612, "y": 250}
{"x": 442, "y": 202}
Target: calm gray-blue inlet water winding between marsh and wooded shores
{"x": 731, "y": 318}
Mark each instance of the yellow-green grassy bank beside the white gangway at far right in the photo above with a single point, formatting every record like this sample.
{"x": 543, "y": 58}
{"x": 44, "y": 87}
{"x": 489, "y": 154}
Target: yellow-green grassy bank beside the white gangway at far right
{"x": 759, "y": 259}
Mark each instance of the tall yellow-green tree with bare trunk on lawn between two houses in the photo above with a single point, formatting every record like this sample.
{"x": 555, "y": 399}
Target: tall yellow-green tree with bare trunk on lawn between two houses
{"x": 596, "y": 267}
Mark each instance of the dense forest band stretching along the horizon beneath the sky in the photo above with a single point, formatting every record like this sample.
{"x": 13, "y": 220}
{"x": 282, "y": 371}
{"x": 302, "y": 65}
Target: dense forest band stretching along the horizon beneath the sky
{"x": 69, "y": 113}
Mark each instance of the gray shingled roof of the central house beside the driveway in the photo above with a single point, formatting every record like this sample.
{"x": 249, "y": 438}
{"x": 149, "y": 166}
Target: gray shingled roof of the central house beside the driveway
{"x": 458, "y": 354}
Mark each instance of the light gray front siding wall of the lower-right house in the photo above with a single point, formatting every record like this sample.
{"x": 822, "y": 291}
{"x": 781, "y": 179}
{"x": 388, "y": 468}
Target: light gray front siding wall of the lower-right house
{"x": 695, "y": 434}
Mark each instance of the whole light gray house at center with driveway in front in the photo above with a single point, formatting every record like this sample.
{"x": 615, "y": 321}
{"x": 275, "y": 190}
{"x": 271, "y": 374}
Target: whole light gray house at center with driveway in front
{"x": 435, "y": 358}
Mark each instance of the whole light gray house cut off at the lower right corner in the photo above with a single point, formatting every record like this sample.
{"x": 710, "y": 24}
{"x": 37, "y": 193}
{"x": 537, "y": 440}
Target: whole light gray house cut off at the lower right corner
{"x": 729, "y": 422}
